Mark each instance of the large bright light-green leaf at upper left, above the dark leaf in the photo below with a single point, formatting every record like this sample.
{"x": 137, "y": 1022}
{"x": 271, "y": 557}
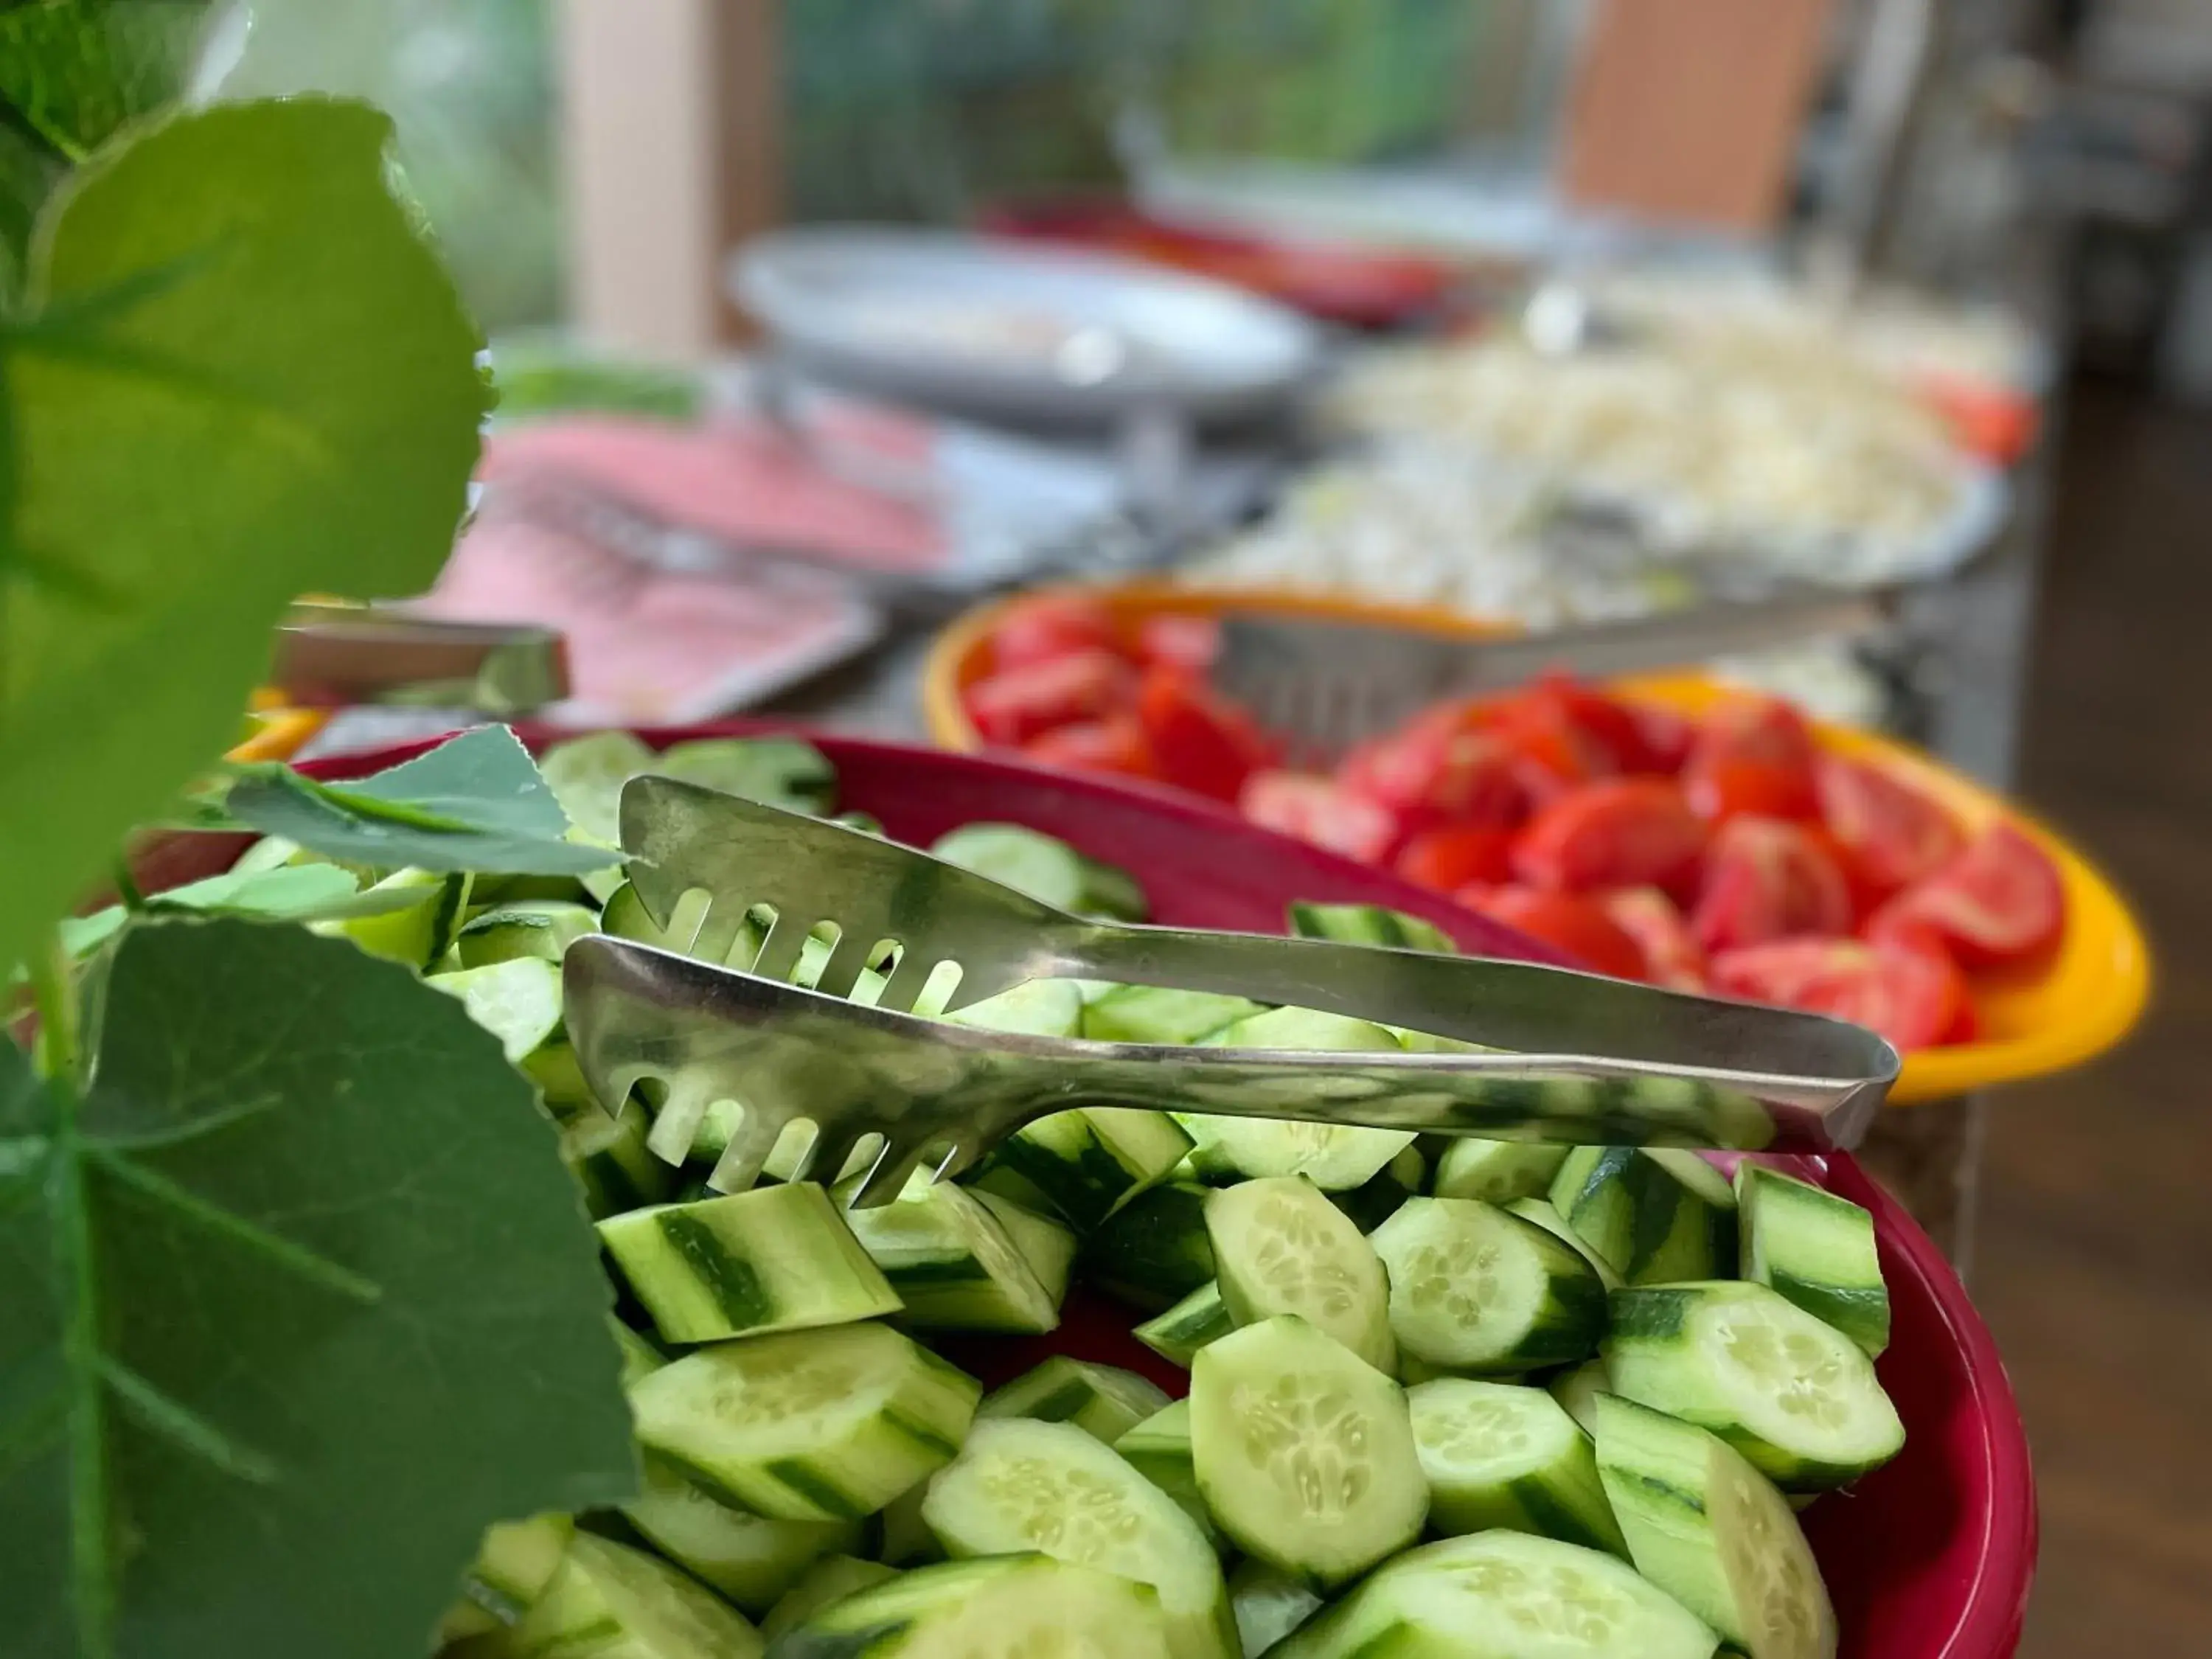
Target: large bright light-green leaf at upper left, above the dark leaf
{"x": 238, "y": 375}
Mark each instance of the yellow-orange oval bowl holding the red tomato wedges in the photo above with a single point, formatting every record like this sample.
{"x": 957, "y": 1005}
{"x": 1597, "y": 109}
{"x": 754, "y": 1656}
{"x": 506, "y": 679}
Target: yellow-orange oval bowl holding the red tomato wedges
{"x": 2069, "y": 1010}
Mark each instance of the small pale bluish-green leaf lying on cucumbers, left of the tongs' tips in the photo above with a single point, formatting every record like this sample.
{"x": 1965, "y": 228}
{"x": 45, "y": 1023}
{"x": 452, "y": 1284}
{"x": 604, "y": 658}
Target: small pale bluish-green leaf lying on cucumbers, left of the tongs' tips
{"x": 474, "y": 802}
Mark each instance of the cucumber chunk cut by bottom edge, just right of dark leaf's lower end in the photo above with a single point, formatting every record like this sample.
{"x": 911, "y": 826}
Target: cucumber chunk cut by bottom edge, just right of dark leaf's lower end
{"x": 625, "y": 1605}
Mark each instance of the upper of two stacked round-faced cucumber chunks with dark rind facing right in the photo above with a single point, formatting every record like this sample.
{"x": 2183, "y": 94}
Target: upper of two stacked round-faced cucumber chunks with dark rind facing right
{"x": 1477, "y": 1291}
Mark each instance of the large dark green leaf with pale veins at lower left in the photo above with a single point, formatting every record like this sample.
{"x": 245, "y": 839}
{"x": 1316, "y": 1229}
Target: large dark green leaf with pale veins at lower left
{"x": 291, "y": 1308}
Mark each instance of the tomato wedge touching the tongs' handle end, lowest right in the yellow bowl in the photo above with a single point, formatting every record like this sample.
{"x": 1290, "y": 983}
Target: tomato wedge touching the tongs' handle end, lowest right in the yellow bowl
{"x": 1906, "y": 994}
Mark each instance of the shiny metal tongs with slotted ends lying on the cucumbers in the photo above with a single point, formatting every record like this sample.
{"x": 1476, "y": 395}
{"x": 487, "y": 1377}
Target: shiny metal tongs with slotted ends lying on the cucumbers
{"x": 1589, "y": 1061}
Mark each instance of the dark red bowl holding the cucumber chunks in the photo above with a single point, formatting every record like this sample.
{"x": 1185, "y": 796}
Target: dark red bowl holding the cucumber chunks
{"x": 1928, "y": 1558}
